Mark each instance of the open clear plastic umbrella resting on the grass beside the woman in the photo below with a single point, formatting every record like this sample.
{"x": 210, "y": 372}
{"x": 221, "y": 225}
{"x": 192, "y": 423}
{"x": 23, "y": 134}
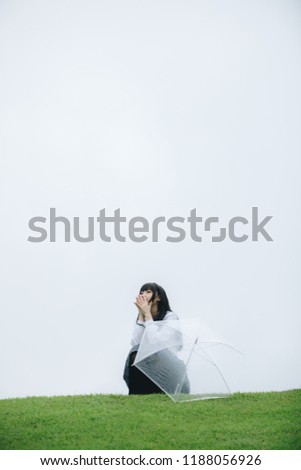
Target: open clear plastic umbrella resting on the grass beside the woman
{"x": 185, "y": 359}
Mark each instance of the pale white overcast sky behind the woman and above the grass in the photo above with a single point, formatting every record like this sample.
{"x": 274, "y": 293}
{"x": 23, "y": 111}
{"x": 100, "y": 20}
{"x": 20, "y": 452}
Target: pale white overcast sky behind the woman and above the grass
{"x": 156, "y": 108}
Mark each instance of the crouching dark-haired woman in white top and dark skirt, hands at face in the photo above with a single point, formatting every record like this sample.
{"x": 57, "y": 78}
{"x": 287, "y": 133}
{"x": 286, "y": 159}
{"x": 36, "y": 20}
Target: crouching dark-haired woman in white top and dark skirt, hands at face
{"x": 153, "y": 306}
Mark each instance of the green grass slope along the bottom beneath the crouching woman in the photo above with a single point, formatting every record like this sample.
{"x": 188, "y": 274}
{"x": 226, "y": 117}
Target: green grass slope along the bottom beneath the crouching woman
{"x": 243, "y": 421}
